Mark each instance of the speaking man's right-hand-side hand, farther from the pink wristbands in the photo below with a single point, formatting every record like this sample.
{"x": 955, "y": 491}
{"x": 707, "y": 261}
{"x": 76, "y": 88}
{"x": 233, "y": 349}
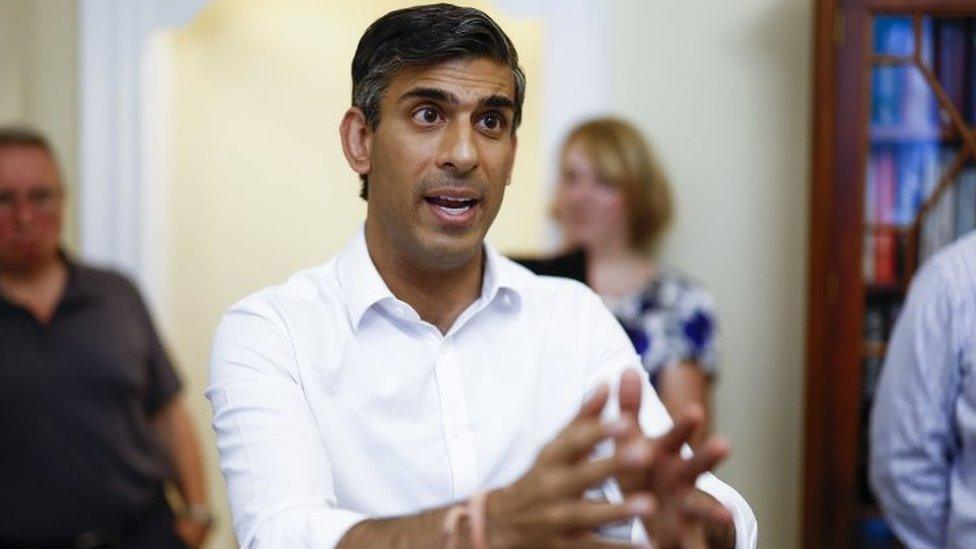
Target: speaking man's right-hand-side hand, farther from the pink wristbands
{"x": 686, "y": 517}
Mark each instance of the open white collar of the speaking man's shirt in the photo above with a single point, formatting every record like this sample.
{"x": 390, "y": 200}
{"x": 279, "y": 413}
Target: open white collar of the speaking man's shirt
{"x": 362, "y": 286}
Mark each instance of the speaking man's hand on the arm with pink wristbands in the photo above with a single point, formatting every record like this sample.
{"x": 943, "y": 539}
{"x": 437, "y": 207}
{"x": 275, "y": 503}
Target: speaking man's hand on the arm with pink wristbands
{"x": 545, "y": 508}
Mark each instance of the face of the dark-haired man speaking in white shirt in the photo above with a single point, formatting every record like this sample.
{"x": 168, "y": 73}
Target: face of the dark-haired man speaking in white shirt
{"x": 440, "y": 159}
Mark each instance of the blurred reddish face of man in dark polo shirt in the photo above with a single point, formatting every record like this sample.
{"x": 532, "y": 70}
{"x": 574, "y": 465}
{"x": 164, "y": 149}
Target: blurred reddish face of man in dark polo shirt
{"x": 30, "y": 207}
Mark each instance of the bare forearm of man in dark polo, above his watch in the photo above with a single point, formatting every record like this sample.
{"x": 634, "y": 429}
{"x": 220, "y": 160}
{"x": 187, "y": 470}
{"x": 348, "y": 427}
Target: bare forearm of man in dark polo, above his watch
{"x": 183, "y": 448}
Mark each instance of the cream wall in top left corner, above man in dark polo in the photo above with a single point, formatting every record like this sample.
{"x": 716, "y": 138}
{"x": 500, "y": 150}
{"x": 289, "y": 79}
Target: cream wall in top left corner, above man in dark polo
{"x": 38, "y": 82}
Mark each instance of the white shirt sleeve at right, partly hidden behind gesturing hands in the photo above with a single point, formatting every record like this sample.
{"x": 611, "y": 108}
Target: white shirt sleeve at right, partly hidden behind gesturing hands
{"x": 611, "y": 353}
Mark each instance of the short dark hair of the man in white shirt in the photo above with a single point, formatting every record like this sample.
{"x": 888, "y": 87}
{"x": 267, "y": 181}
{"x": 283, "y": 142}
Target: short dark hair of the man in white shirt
{"x": 426, "y": 35}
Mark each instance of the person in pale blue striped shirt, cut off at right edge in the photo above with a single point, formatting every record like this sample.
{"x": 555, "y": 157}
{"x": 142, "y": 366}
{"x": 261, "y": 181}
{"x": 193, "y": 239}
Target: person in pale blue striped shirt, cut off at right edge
{"x": 923, "y": 425}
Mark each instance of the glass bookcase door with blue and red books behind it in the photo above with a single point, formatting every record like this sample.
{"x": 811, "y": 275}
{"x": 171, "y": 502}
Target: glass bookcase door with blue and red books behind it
{"x": 919, "y": 183}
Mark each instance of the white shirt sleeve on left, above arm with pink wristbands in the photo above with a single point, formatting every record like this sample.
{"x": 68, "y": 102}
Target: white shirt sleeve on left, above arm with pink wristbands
{"x": 277, "y": 469}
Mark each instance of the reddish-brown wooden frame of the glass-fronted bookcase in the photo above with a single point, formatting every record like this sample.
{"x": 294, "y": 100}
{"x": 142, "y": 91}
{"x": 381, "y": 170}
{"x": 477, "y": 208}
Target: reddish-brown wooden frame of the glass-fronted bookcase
{"x": 836, "y": 296}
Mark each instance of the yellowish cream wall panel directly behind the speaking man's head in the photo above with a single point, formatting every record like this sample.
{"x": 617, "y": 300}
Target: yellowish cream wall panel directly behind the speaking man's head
{"x": 259, "y": 187}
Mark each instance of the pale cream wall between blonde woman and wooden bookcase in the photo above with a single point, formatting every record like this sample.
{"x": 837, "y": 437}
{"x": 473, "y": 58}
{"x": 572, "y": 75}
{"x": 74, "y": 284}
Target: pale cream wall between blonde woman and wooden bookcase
{"x": 723, "y": 90}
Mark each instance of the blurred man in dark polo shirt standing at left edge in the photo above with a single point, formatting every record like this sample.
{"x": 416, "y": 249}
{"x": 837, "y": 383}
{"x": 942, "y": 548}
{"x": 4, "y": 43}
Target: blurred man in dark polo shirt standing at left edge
{"x": 91, "y": 422}
